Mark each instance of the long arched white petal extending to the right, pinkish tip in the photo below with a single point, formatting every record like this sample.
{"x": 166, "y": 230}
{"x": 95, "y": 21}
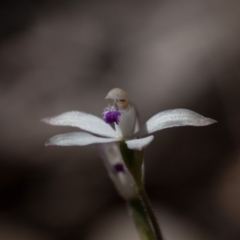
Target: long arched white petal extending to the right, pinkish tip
{"x": 174, "y": 118}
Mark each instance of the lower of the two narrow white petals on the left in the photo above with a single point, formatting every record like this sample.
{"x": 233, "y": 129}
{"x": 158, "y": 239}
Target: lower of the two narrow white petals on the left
{"x": 77, "y": 139}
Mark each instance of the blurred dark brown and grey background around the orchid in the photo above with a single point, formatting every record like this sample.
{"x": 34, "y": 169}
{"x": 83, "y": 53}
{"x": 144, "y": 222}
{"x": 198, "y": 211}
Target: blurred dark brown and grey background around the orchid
{"x": 57, "y": 56}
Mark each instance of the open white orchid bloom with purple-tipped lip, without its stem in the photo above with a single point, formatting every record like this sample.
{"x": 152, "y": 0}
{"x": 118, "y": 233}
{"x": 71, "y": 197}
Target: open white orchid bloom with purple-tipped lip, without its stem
{"x": 120, "y": 123}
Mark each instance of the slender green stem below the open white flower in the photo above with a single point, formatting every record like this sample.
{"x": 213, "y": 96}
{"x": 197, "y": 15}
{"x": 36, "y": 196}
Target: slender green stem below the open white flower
{"x": 140, "y": 207}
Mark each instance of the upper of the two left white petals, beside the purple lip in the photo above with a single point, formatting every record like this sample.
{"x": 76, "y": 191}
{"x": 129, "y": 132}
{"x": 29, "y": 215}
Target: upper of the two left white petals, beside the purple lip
{"x": 84, "y": 121}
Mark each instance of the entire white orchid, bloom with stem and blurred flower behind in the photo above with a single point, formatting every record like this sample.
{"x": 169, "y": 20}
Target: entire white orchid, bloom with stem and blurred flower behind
{"x": 121, "y": 144}
